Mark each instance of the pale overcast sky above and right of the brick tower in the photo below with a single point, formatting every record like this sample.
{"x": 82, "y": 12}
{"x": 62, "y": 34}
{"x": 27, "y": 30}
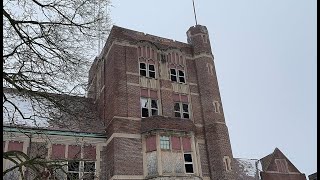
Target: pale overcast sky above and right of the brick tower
{"x": 265, "y": 57}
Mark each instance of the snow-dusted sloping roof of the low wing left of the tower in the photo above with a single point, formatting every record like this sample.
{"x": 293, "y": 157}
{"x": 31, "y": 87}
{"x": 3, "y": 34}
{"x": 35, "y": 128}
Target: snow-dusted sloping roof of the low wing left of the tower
{"x": 67, "y": 113}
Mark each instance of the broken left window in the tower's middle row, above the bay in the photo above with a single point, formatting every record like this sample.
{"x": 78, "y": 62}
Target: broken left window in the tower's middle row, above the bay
{"x": 149, "y": 107}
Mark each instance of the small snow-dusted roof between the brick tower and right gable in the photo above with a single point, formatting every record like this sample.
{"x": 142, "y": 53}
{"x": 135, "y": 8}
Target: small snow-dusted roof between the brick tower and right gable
{"x": 247, "y": 169}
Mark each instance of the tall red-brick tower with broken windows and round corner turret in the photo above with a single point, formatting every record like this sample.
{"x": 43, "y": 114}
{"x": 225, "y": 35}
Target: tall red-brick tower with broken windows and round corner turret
{"x": 159, "y": 100}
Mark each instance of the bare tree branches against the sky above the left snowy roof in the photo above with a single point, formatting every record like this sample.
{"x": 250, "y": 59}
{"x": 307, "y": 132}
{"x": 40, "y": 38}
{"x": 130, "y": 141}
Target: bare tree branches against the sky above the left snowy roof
{"x": 49, "y": 44}
